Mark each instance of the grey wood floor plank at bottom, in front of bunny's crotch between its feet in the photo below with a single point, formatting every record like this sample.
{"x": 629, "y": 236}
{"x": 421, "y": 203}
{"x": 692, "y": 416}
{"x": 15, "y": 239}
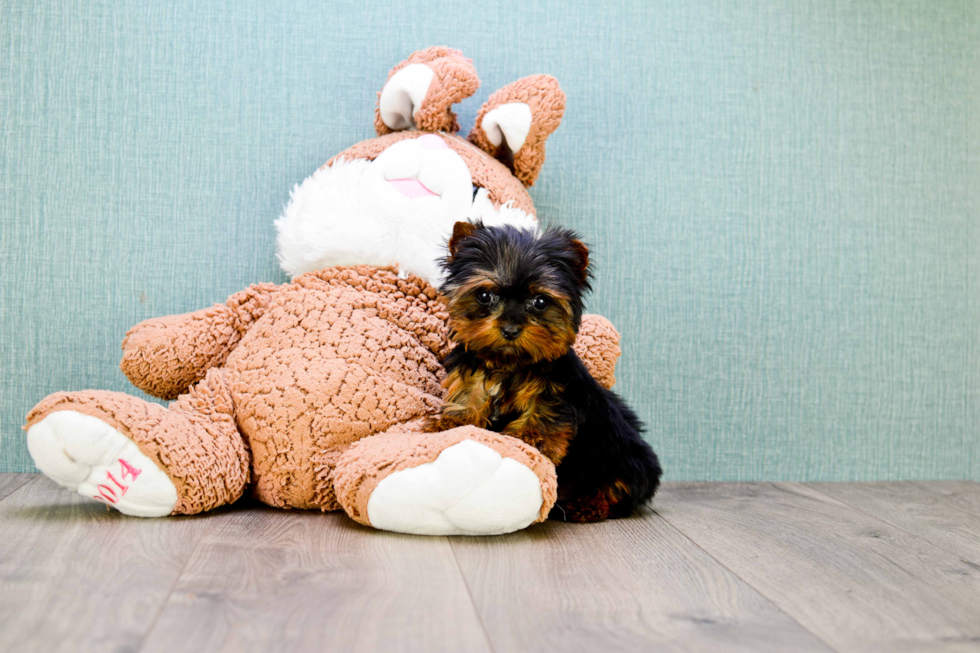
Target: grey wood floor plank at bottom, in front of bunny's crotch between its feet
{"x": 306, "y": 581}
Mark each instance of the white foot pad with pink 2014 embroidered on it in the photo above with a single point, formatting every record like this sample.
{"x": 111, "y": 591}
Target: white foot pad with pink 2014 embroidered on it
{"x": 84, "y": 454}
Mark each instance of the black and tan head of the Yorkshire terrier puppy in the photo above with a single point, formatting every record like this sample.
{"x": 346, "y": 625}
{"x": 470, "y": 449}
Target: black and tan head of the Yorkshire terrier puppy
{"x": 514, "y": 294}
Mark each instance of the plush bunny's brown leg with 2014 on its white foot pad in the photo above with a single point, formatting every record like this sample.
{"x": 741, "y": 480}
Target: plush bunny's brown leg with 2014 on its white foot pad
{"x": 140, "y": 458}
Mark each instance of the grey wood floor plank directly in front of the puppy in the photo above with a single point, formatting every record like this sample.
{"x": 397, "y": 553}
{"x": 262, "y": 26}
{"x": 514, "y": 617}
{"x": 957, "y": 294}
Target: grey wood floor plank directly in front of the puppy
{"x": 623, "y": 585}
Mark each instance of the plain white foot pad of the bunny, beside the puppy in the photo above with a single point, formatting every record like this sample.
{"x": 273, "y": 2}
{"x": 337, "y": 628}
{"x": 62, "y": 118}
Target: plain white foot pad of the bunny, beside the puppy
{"x": 470, "y": 489}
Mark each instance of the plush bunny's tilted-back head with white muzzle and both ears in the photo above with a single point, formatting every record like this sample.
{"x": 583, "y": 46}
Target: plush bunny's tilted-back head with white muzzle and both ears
{"x": 393, "y": 200}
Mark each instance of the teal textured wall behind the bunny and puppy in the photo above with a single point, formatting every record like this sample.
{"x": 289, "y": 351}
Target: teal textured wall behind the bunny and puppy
{"x": 783, "y": 198}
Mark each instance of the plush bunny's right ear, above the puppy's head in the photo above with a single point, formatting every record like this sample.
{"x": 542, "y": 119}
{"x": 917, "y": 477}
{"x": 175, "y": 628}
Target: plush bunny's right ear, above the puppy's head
{"x": 516, "y": 121}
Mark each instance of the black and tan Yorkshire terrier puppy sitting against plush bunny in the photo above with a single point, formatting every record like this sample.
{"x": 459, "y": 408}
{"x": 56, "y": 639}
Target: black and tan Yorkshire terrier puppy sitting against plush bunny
{"x": 515, "y": 304}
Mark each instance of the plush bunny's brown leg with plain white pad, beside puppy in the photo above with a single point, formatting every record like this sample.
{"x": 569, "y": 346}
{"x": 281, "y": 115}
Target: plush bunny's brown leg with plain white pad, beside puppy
{"x": 465, "y": 481}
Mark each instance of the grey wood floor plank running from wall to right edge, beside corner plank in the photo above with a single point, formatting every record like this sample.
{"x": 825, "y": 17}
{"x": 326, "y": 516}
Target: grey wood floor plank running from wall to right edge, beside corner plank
{"x": 912, "y": 507}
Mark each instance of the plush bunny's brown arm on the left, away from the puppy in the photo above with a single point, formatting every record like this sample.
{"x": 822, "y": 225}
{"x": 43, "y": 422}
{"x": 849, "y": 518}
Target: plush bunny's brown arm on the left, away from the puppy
{"x": 165, "y": 356}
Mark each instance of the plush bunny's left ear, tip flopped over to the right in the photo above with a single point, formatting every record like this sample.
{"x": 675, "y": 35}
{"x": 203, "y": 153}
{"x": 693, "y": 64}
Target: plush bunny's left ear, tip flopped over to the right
{"x": 421, "y": 91}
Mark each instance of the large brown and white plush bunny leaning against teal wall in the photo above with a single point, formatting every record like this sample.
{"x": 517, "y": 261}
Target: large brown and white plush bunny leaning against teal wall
{"x": 310, "y": 394}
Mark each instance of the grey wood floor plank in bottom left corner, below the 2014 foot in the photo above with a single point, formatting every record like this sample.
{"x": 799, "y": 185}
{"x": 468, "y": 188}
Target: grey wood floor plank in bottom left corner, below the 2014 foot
{"x": 76, "y": 577}
